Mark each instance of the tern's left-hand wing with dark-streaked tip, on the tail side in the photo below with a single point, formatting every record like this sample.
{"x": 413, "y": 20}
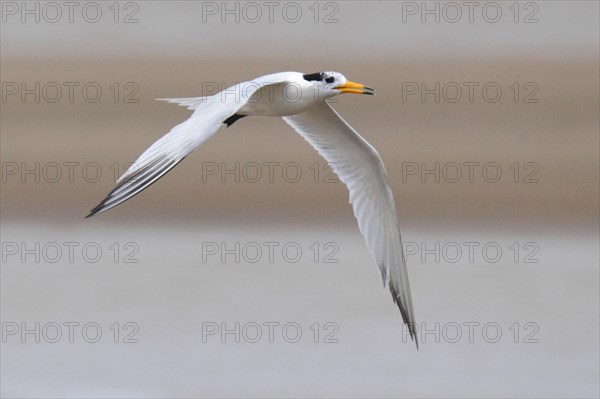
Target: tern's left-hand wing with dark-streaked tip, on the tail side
{"x": 169, "y": 150}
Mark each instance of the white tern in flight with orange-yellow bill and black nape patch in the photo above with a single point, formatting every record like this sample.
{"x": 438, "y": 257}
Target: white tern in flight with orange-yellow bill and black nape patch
{"x": 300, "y": 99}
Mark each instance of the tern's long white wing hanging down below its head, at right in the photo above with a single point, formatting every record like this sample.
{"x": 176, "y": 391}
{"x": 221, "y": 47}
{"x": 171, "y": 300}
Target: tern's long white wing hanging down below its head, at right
{"x": 359, "y": 166}
